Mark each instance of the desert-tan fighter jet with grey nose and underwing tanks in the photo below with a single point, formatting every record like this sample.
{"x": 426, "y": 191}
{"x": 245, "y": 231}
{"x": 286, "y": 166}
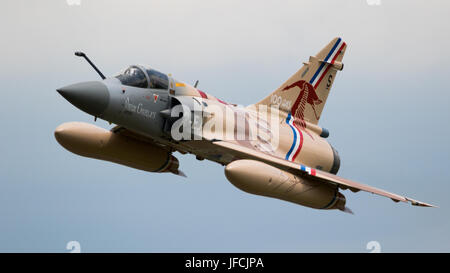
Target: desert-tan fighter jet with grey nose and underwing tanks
{"x": 274, "y": 148}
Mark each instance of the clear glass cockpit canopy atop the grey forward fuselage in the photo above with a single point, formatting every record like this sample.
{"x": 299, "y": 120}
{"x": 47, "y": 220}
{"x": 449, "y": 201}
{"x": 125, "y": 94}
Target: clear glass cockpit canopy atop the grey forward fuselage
{"x": 138, "y": 76}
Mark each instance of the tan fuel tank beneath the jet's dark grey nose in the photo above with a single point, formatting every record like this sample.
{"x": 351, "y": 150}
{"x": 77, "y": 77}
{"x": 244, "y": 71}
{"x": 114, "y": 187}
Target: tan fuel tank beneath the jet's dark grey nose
{"x": 91, "y": 141}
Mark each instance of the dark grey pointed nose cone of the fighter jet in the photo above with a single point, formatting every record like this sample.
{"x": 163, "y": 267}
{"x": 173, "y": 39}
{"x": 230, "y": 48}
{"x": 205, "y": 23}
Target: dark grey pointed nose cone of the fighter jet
{"x": 91, "y": 97}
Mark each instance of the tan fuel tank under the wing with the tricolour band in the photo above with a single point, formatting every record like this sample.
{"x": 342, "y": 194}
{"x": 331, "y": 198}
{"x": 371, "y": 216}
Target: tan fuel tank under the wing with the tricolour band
{"x": 262, "y": 179}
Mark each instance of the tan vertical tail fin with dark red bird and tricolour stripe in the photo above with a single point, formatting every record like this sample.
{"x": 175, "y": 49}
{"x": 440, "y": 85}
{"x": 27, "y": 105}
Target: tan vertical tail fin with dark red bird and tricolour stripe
{"x": 304, "y": 94}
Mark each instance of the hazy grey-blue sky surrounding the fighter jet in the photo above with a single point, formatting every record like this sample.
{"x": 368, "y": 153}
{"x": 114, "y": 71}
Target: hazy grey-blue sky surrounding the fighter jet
{"x": 388, "y": 115}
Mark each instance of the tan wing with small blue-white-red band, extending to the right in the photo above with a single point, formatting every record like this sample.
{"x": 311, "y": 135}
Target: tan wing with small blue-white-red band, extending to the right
{"x": 240, "y": 151}
